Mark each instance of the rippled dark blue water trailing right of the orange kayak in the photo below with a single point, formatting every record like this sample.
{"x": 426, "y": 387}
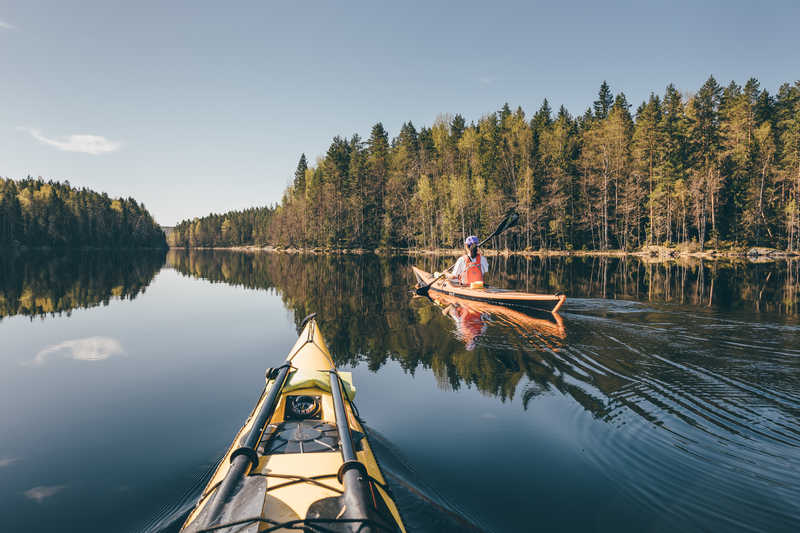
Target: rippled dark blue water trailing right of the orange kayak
{"x": 705, "y": 408}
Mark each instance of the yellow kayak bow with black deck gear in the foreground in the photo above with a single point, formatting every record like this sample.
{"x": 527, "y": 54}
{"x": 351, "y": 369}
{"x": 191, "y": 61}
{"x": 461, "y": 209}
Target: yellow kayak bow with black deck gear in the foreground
{"x": 302, "y": 460}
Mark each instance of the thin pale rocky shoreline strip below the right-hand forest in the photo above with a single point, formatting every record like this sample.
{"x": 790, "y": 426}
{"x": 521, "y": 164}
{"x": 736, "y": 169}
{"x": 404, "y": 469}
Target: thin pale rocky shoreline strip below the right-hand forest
{"x": 649, "y": 254}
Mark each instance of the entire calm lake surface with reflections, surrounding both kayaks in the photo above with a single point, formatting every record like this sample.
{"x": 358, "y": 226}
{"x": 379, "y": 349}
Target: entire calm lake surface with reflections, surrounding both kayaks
{"x": 664, "y": 398}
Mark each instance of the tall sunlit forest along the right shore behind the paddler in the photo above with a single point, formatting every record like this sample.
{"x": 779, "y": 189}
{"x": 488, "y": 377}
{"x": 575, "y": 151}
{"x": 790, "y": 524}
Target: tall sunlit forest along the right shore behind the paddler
{"x": 720, "y": 167}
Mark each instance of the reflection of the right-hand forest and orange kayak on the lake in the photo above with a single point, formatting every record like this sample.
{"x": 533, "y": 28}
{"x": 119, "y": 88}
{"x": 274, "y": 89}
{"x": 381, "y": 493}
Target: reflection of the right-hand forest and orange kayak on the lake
{"x": 366, "y": 311}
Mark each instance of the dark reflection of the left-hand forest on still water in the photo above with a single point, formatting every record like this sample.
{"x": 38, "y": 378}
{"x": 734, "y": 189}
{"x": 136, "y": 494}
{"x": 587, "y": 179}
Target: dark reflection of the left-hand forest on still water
{"x": 42, "y": 284}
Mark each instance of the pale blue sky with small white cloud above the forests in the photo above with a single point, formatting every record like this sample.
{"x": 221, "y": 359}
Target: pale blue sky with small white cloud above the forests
{"x": 198, "y": 107}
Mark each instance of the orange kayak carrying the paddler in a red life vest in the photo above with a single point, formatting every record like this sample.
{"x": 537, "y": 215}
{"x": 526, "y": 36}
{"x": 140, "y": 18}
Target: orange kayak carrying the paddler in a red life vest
{"x": 505, "y": 297}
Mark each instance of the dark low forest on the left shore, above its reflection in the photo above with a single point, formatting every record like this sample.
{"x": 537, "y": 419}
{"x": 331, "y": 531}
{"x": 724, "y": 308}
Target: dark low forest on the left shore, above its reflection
{"x": 38, "y": 213}
